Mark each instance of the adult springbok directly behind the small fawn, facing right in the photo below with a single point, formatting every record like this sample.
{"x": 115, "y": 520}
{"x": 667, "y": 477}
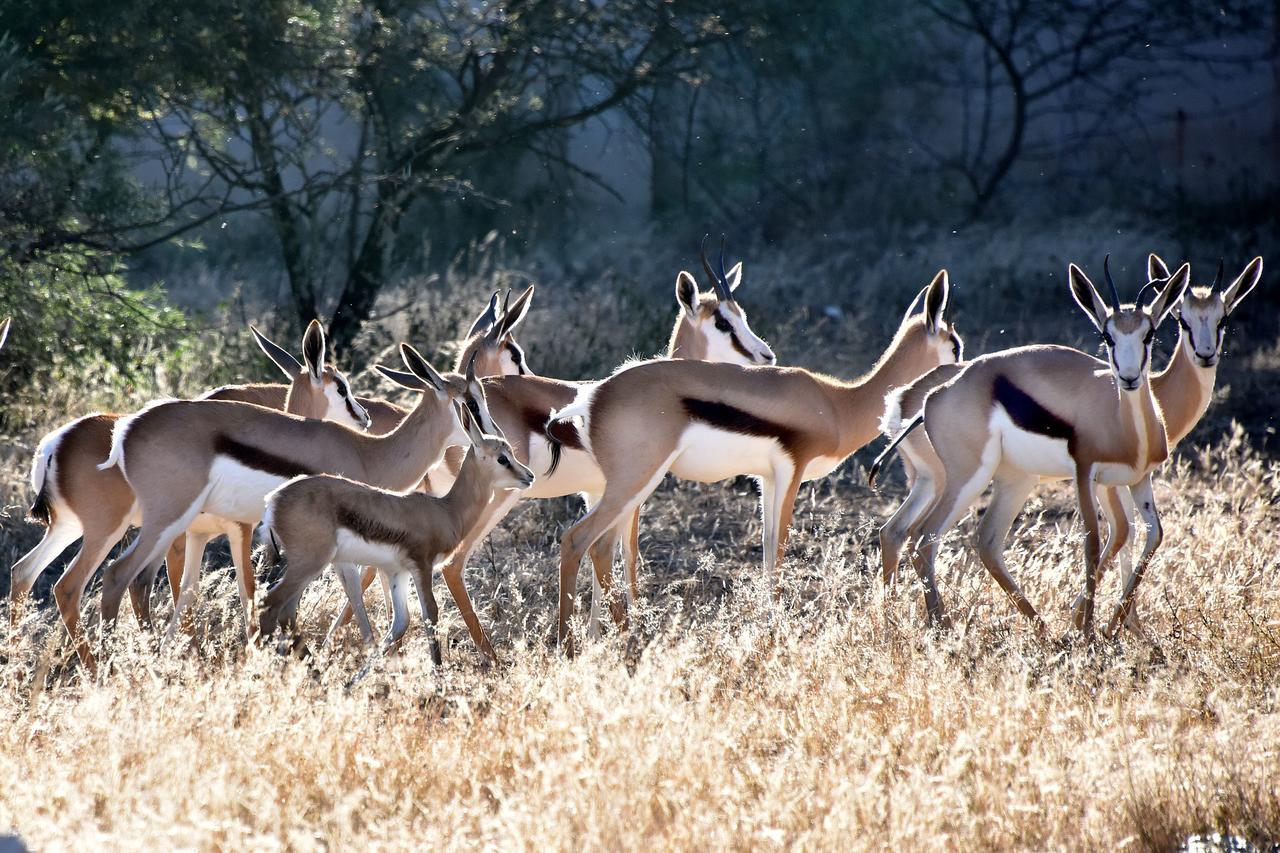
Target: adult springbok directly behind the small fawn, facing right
{"x": 186, "y": 458}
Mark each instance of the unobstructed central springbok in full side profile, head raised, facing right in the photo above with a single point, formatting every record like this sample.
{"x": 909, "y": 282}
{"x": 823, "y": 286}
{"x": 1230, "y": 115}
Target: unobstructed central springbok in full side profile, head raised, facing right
{"x": 710, "y": 422}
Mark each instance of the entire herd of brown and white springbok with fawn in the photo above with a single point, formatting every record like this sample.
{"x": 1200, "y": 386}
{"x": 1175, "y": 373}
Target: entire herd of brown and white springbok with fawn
{"x": 345, "y": 481}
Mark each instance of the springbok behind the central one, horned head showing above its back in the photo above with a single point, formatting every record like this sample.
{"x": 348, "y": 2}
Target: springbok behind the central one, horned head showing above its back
{"x": 710, "y": 326}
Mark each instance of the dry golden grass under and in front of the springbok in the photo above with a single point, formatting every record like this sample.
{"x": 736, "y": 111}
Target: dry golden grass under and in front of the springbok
{"x": 839, "y": 723}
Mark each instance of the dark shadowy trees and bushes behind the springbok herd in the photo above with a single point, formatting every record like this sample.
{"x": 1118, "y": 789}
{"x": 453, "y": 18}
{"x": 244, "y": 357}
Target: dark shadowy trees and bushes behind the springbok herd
{"x": 171, "y": 171}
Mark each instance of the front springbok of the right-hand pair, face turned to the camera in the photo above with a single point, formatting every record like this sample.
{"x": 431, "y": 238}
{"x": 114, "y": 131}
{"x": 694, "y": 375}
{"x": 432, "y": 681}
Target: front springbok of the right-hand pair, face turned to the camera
{"x": 1048, "y": 412}
